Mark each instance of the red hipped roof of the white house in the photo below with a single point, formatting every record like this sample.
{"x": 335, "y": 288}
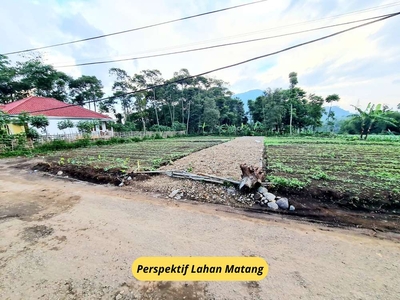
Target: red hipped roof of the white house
{"x": 50, "y": 107}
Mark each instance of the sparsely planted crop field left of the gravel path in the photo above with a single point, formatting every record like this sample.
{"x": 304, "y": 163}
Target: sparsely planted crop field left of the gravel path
{"x": 145, "y": 155}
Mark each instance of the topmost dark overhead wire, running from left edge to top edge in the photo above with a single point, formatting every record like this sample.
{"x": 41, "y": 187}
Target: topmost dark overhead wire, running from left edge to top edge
{"x": 138, "y": 28}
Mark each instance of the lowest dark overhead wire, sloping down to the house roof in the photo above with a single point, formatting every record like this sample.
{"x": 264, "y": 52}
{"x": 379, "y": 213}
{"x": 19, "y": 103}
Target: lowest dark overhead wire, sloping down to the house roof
{"x": 232, "y": 65}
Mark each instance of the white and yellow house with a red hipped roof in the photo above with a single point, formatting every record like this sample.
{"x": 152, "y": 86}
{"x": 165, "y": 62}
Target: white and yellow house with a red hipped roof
{"x": 55, "y": 111}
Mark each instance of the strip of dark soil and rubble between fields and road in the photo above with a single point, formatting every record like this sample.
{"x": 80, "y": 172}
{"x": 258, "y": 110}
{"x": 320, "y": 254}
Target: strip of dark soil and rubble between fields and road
{"x": 308, "y": 209}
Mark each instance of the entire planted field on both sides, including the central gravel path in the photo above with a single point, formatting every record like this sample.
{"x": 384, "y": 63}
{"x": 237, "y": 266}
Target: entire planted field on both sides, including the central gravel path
{"x": 336, "y": 181}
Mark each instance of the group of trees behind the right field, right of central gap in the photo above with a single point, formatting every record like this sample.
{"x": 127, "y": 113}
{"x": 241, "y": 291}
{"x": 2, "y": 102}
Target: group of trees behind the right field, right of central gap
{"x": 284, "y": 110}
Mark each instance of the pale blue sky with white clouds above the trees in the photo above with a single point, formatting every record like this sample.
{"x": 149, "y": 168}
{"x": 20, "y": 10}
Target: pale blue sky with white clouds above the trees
{"x": 361, "y": 66}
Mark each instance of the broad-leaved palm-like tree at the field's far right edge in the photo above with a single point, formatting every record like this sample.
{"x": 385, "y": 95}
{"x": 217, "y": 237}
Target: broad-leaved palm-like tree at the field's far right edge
{"x": 370, "y": 116}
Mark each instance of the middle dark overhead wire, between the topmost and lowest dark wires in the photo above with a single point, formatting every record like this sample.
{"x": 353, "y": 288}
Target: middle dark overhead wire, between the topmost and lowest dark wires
{"x": 218, "y": 46}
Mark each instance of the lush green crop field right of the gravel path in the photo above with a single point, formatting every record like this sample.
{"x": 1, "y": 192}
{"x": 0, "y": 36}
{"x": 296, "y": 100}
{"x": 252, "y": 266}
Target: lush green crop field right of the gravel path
{"x": 353, "y": 174}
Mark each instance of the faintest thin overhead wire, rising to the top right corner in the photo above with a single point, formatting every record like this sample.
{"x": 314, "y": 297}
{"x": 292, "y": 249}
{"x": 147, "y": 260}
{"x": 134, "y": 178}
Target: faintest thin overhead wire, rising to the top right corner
{"x": 356, "y": 12}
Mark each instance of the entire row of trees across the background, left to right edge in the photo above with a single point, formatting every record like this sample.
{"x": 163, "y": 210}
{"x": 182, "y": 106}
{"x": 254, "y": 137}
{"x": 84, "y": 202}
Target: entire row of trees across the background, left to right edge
{"x": 195, "y": 104}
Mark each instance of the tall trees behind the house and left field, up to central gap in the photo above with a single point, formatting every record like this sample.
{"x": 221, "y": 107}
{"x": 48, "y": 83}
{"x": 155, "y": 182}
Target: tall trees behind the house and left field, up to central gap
{"x": 196, "y": 105}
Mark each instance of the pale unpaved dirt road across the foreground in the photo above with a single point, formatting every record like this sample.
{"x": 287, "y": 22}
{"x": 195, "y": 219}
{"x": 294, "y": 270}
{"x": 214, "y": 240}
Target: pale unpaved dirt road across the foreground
{"x": 71, "y": 240}
